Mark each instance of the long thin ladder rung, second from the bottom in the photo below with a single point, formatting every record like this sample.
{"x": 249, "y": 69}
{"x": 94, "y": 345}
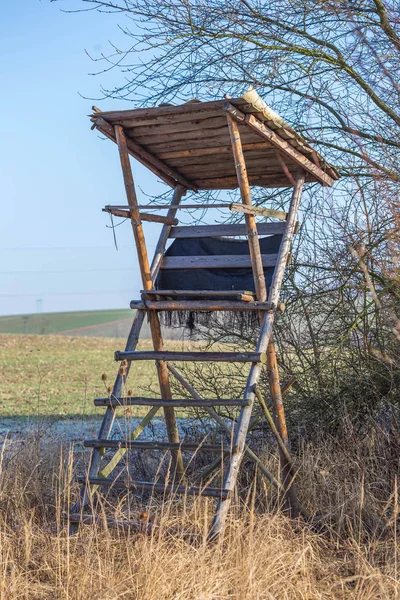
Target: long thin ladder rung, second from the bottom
{"x": 154, "y": 487}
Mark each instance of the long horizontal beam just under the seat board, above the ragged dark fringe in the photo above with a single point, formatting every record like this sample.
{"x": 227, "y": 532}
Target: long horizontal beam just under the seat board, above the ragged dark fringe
{"x": 201, "y": 305}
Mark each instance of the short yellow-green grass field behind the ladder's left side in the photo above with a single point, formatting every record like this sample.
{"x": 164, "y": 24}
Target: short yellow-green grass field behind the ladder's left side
{"x": 52, "y": 375}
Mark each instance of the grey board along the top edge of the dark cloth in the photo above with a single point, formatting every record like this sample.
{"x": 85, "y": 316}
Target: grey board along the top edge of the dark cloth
{"x": 200, "y": 231}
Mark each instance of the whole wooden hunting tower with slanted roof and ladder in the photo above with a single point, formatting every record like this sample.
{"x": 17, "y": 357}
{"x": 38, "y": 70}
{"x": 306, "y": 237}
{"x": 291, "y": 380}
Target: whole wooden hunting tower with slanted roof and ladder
{"x": 231, "y": 268}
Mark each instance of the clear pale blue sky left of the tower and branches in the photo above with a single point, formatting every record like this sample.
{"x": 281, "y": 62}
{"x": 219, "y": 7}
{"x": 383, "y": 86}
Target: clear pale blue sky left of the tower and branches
{"x": 55, "y": 173}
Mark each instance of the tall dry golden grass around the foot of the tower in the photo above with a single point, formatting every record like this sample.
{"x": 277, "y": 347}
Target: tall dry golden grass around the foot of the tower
{"x": 350, "y": 551}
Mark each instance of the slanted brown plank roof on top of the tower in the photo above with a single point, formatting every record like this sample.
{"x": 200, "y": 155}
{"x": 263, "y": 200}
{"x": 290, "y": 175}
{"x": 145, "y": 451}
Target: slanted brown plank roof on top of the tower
{"x": 190, "y": 144}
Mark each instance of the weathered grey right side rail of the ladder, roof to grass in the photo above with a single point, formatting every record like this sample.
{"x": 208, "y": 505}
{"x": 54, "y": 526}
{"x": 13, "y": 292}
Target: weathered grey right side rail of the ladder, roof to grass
{"x": 255, "y": 371}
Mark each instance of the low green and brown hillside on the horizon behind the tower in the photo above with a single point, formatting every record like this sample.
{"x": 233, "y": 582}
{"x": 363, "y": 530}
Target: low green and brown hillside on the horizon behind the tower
{"x": 90, "y": 323}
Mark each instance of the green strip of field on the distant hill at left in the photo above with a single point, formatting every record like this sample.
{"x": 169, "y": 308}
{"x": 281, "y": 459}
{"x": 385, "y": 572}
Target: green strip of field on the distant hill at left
{"x": 46, "y": 323}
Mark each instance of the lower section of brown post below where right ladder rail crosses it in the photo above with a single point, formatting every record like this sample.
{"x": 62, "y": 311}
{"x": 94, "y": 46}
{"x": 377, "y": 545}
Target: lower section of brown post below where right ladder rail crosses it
{"x": 286, "y": 463}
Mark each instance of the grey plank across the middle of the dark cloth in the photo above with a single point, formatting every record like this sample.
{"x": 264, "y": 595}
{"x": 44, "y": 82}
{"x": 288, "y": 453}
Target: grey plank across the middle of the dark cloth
{"x": 226, "y": 261}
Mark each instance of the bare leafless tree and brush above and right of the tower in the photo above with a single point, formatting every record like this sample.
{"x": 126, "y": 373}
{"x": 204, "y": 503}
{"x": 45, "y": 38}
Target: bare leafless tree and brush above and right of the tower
{"x": 331, "y": 68}
